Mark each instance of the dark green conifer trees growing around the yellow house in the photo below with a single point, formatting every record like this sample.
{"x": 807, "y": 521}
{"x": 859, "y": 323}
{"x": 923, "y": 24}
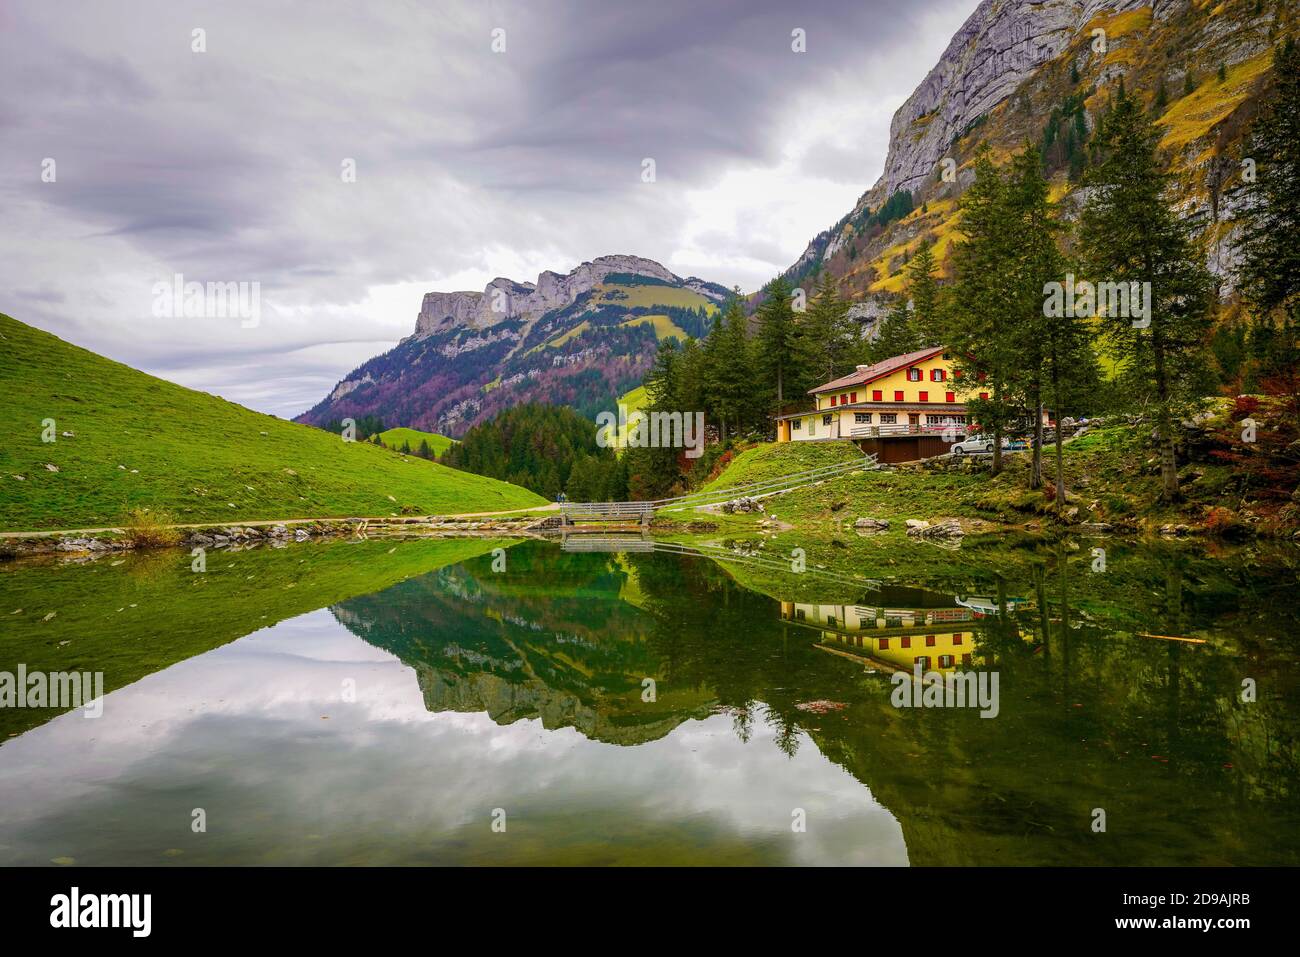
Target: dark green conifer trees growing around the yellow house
{"x": 1013, "y": 244}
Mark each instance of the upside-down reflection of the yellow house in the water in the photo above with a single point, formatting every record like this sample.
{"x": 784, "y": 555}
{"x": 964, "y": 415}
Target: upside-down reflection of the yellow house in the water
{"x": 935, "y": 631}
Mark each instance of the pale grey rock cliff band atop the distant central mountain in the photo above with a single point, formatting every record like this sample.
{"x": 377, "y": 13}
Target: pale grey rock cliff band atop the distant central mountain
{"x": 505, "y": 300}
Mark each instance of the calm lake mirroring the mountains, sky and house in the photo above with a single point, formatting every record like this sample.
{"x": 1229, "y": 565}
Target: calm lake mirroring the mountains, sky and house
{"x": 622, "y": 701}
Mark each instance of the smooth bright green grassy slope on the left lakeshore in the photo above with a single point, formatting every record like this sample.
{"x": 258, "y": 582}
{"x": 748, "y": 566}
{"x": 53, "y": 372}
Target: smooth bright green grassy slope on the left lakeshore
{"x": 127, "y": 440}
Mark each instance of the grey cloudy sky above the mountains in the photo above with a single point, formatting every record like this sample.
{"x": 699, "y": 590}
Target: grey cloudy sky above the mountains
{"x": 228, "y": 166}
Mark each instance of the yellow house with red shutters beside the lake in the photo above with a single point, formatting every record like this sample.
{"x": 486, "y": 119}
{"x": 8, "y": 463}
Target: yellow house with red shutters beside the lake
{"x": 908, "y": 396}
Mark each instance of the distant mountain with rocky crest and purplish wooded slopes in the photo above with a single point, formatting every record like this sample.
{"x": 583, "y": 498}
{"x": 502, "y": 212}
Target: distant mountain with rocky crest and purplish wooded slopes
{"x": 580, "y": 339}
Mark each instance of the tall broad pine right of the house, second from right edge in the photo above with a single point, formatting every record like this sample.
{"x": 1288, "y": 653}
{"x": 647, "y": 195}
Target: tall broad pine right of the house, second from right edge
{"x": 1132, "y": 236}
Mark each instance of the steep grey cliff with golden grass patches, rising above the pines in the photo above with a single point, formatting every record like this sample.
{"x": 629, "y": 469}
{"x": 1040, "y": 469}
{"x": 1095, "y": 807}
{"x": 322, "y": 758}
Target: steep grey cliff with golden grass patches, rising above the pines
{"x": 1019, "y": 67}
